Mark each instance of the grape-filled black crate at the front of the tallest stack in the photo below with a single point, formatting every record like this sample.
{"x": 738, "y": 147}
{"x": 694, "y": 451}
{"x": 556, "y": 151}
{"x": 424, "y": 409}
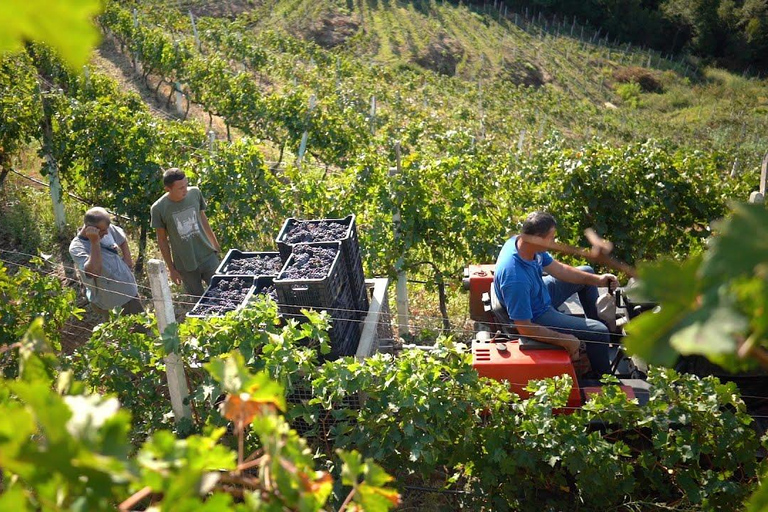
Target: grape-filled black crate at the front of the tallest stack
{"x": 314, "y": 277}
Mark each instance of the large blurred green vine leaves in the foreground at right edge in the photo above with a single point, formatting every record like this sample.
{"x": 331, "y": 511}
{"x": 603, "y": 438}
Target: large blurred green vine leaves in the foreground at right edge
{"x": 709, "y": 303}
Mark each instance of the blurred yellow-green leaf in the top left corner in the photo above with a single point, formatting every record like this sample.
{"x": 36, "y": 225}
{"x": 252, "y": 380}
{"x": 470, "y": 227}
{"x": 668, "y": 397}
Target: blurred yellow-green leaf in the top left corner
{"x": 67, "y": 25}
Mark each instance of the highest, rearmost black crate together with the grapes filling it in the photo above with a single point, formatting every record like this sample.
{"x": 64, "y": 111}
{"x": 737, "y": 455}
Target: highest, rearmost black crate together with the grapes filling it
{"x": 295, "y": 231}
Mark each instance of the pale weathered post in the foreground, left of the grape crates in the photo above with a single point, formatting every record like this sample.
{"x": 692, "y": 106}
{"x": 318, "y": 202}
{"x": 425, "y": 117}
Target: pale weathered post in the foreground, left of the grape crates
{"x": 174, "y": 369}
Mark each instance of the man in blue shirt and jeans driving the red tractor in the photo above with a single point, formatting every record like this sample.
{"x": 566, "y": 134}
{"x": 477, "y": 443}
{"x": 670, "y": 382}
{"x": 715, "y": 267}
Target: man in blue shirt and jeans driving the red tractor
{"x": 531, "y": 300}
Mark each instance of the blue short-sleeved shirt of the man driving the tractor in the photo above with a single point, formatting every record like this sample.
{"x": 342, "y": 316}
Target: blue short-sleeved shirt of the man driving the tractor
{"x": 518, "y": 283}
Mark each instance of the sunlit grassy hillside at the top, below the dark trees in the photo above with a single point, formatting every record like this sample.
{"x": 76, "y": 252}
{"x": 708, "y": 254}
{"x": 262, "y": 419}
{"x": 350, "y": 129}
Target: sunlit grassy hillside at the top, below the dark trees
{"x": 573, "y": 74}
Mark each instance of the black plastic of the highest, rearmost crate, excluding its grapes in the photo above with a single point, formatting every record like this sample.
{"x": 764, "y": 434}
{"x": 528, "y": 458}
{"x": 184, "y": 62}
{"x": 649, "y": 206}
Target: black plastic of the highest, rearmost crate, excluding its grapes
{"x": 350, "y": 247}
